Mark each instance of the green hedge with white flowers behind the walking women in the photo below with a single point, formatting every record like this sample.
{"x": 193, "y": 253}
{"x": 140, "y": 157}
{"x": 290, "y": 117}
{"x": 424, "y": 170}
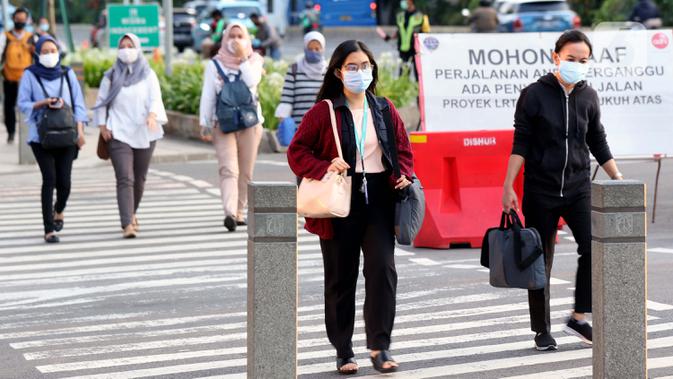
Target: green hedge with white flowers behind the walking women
{"x": 181, "y": 91}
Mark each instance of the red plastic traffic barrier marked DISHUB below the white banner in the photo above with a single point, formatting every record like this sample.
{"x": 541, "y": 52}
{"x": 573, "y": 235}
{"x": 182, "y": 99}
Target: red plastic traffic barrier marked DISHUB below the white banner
{"x": 462, "y": 175}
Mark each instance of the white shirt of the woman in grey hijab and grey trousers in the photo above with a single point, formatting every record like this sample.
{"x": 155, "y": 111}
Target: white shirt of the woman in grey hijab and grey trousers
{"x": 128, "y": 112}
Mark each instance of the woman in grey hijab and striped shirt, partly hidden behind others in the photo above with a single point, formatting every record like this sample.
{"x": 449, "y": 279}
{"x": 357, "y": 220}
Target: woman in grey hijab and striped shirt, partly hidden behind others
{"x": 303, "y": 79}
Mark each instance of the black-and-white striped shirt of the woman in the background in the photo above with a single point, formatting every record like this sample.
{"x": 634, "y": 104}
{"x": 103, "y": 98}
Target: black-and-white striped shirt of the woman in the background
{"x": 298, "y": 96}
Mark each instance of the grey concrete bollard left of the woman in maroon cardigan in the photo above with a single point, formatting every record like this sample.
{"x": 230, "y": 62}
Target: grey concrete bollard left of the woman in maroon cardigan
{"x": 272, "y": 280}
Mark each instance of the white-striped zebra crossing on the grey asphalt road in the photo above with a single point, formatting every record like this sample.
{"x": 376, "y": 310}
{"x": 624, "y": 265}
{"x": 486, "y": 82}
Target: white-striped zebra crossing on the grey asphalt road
{"x": 171, "y": 303}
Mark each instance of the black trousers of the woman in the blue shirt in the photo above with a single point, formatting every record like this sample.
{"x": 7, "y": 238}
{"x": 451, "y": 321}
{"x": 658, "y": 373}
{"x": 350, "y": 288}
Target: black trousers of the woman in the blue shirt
{"x": 56, "y": 167}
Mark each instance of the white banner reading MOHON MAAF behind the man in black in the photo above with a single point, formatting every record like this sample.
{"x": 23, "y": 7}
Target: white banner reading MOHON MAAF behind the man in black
{"x": 472, "y": 82}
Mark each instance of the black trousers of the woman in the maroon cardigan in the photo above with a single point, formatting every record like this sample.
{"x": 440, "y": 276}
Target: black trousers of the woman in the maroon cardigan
{"x": 370, "y": 228}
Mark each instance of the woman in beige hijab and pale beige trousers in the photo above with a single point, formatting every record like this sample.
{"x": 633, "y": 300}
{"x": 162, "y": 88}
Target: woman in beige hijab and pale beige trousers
{"x": 236, "y": 151}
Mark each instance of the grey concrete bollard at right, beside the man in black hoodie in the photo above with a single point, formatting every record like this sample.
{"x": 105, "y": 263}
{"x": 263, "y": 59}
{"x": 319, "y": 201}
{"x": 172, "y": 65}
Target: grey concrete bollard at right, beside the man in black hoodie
{"x": 619, "y": 279}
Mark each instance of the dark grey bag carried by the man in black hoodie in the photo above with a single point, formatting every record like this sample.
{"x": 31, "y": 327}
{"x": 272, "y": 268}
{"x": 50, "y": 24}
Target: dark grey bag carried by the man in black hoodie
{"x": 514, "y": 255}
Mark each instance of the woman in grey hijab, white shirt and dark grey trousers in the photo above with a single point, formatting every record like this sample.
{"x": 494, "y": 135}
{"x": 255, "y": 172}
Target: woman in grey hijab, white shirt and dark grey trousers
{"x": 130, "y": 112}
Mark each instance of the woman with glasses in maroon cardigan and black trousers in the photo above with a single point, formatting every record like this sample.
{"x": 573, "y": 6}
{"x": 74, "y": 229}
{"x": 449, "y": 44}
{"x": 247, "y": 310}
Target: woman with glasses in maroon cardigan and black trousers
{"x": 370, "y": 130}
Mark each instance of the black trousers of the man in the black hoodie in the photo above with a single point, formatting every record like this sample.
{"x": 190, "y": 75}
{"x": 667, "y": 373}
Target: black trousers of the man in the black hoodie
{"x": 543, "y": 213}
